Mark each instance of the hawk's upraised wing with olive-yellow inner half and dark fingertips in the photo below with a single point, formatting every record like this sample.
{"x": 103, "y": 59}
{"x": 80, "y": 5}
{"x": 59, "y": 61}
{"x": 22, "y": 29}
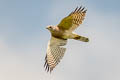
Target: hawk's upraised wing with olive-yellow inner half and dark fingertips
{"x": 73, "y": 20}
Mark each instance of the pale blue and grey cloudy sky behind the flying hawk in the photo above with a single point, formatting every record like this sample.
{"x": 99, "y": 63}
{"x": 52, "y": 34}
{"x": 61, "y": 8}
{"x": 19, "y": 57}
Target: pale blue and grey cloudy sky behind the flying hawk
{"x": 23, "y": 40}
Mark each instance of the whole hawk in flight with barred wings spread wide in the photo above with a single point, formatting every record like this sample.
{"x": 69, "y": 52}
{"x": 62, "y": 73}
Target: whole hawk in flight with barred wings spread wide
{"x": 60, "y": 34}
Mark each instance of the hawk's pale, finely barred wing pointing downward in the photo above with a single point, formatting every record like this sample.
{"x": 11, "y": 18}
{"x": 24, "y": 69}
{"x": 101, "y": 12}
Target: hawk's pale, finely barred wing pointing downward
{"x": 55, "y": 52}
